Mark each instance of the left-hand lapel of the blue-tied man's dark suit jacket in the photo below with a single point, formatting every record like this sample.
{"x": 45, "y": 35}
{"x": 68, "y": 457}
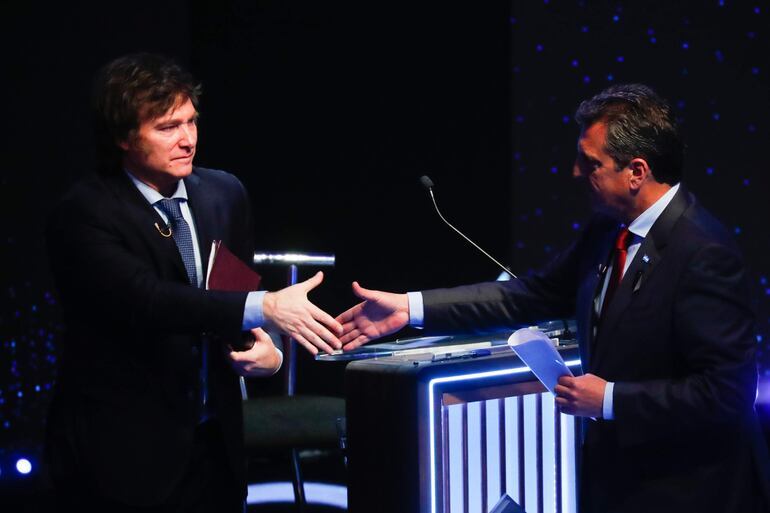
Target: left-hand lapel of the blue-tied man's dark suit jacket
{"x": 144, "y": 219}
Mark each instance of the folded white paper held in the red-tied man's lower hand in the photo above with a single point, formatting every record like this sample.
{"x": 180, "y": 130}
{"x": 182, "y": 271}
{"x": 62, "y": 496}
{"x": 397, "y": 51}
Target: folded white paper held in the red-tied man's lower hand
{"x": 538, "y": 352}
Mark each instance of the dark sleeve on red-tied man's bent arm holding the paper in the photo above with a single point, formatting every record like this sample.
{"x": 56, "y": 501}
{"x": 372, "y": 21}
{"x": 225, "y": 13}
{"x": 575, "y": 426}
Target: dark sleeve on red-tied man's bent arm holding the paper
{"x": 713, "y": 335}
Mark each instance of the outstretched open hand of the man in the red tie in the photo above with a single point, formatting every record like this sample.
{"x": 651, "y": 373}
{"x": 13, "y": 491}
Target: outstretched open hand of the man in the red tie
{"x": 380, "y": 314}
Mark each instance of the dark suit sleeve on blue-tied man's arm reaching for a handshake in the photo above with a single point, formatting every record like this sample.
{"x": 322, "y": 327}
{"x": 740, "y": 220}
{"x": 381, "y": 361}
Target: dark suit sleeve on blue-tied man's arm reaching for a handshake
{"x": 104, "y": 283}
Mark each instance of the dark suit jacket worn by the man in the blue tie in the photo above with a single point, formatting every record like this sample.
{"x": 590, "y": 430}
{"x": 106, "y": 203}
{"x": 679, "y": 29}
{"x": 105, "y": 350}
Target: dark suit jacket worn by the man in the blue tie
{"x": 127, "y": 395}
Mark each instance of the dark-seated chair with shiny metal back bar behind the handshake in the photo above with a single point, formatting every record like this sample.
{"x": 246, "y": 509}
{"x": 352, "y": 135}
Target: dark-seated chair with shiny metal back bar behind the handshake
{"x": 292, "y": 422}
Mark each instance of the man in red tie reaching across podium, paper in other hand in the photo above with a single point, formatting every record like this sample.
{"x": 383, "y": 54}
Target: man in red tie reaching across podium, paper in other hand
{"x": 665, "y": 325}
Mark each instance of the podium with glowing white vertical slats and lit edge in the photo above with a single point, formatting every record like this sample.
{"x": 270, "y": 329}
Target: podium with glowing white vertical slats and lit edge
{"x": 452, "y": 429}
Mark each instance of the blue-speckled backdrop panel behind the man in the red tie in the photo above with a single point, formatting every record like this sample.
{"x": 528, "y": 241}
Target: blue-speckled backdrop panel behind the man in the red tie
{"x": 708, "y": 58}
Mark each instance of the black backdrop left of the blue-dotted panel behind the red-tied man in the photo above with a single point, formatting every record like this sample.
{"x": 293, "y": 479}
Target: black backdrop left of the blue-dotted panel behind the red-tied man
{"x": 329, "y": 112}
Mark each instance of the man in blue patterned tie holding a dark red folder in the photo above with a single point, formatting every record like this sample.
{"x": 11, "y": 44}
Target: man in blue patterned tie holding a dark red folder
{"x": 146, "y": 414}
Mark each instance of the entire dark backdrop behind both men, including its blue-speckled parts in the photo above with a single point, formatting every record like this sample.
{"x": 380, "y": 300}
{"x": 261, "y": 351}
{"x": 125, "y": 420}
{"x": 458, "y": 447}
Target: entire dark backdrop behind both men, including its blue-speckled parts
{"x": 330, "y": 111}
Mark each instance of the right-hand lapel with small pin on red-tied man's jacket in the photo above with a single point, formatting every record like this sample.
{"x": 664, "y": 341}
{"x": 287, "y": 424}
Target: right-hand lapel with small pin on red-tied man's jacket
{"x": 647, "y": 258}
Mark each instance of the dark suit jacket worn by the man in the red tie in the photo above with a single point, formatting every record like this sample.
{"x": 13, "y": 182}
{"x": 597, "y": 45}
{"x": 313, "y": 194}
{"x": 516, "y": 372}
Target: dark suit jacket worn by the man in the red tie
{"x": 679, "y": 342}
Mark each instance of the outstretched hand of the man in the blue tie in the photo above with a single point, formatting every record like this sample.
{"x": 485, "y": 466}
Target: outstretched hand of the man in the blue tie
{"x": 291, "y": 312}
